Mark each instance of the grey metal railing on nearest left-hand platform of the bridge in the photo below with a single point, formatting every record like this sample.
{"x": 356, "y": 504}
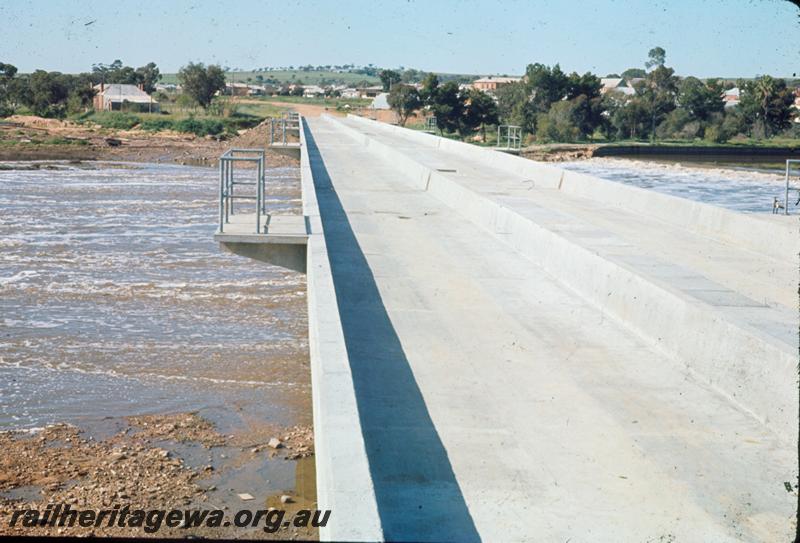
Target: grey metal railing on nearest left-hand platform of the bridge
{"x": 228, "y": 184}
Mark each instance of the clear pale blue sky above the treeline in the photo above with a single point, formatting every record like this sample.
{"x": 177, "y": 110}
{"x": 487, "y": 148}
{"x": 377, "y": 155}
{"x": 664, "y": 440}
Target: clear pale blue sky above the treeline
{"x": 705, "y": 38}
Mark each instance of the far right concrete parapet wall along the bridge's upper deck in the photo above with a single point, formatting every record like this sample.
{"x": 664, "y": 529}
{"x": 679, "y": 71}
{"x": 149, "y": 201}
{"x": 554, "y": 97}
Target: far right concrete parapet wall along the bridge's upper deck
{"x": 744, "y": 230}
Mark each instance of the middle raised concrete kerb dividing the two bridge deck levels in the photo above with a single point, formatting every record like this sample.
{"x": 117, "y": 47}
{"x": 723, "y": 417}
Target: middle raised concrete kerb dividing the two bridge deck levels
{"x": 755, "y": 372}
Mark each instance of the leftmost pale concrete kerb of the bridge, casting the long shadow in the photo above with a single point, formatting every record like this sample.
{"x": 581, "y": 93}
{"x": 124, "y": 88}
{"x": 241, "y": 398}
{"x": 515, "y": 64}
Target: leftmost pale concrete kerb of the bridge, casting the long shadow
{"x": 344, "y": 481}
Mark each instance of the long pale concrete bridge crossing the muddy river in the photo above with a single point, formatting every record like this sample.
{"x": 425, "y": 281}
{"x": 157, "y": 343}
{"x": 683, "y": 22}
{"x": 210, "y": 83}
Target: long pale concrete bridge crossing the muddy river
{"x": 502, "y": 350}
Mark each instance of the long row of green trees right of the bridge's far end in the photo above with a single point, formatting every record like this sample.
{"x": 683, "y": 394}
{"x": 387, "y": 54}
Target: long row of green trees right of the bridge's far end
{"x": 556, "y": 106}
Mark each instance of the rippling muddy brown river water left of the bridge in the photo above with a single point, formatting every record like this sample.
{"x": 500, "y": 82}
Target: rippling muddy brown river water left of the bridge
{"x": 115, "y": 300}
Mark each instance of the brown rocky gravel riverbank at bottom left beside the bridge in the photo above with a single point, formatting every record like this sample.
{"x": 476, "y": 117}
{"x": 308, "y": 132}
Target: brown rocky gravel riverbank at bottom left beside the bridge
{"x": 162, "y": 462}
